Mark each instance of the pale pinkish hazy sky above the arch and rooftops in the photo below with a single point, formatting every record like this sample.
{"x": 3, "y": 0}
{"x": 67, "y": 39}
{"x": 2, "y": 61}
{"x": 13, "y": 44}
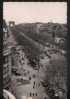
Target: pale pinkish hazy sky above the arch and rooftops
{"x": 35, "y": 12}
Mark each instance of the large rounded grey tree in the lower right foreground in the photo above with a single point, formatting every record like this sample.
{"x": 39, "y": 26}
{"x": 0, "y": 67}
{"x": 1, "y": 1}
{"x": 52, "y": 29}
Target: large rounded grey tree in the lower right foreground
{"x": 56, "y": 75}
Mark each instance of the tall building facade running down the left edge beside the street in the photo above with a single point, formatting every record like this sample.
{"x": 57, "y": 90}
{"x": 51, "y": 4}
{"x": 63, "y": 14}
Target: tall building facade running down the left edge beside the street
{"x": 6, "y": 59}
